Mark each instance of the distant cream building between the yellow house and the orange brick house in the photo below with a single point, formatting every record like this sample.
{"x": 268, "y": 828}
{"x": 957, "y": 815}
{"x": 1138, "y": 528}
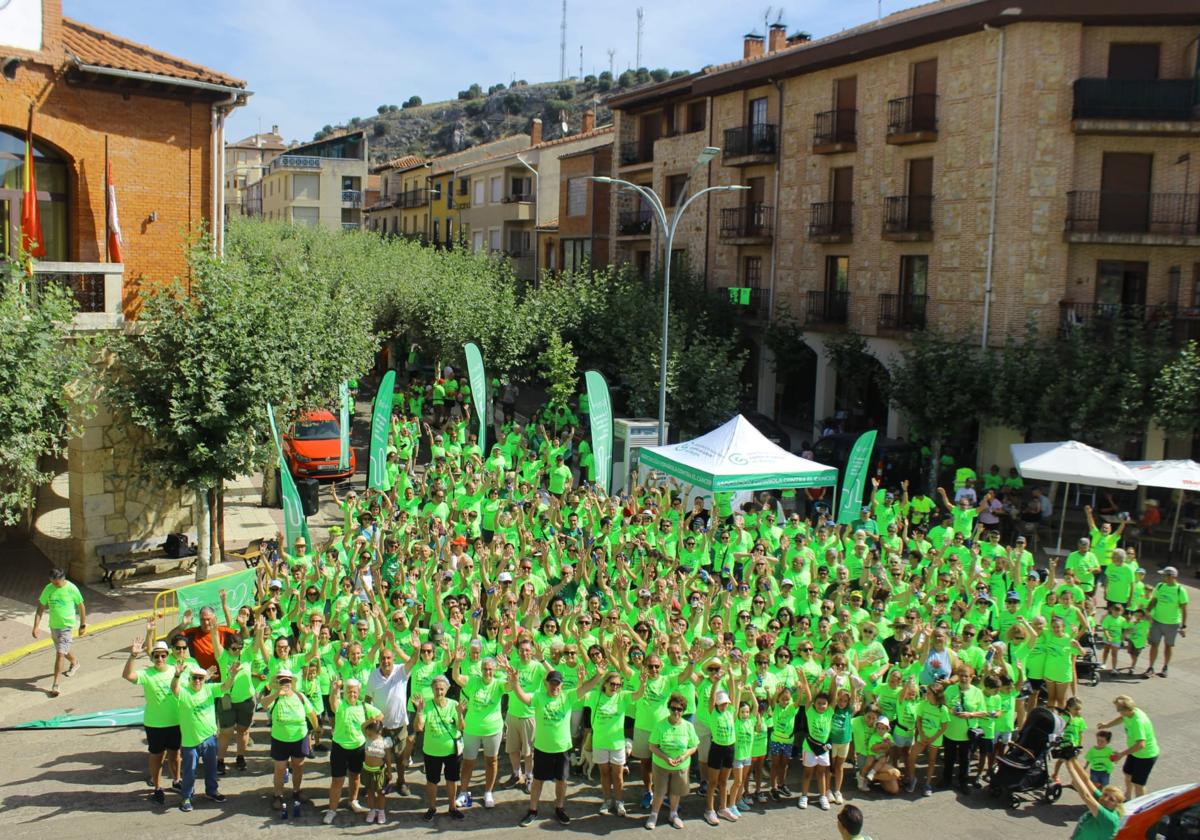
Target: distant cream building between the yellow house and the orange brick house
{"x": 514, "y": 199}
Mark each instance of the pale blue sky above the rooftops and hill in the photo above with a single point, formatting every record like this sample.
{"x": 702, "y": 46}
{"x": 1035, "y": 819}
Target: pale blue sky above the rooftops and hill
{"x": 314, "y": 63}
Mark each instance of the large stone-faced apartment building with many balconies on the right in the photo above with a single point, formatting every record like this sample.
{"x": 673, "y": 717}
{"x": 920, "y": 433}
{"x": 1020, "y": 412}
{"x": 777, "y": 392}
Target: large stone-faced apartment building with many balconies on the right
{"x": 962, "y": 166}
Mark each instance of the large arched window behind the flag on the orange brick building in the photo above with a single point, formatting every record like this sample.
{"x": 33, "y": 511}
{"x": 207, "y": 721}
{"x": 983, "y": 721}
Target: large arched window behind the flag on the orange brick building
{"x": 53, "y": 182}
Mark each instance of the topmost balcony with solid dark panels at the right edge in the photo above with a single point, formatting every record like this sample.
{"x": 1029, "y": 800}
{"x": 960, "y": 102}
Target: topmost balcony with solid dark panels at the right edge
{"x": 1136, "y": 107}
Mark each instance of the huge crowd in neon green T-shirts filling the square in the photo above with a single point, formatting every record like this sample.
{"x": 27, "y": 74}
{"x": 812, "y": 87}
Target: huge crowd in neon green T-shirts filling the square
{"x": 715, "y": 655}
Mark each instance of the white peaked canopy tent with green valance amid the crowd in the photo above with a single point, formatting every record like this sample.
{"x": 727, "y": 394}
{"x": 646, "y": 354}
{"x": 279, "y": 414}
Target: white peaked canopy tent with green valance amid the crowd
{"x": 736, "y": 457}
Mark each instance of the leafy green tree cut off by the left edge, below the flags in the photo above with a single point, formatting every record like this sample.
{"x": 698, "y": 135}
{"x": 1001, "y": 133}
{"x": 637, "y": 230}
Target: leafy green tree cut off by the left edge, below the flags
{"x": 43, "y": 397}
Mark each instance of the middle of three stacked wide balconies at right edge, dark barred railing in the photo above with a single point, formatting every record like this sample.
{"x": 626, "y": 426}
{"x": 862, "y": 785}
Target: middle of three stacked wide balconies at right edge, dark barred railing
{"x": 1133, "y": 219}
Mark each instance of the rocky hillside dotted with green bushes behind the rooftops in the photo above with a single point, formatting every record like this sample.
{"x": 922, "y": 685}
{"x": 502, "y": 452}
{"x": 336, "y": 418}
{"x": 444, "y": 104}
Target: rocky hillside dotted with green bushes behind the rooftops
{"x": 481, "y": 116}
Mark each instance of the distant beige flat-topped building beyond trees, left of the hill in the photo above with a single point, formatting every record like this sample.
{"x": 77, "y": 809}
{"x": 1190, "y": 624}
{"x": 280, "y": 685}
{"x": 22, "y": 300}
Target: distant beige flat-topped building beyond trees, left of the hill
{"x": 319, "y": 183}
